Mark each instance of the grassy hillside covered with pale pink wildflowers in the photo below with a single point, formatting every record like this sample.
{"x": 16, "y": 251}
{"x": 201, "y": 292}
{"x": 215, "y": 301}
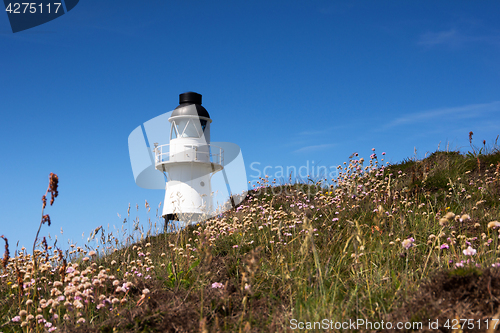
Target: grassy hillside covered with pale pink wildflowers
{"x": 410, "y": 242}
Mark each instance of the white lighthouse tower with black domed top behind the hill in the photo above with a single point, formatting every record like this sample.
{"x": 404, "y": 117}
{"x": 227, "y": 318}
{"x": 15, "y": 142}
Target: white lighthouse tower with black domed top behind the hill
{"x": 189, "y": 161}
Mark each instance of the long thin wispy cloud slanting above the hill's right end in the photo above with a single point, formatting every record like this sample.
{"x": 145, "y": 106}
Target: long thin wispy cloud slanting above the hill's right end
{"x": 460, "y": 112}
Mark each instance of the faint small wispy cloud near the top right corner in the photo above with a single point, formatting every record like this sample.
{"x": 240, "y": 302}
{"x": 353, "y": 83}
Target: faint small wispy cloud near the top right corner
{"x": 455, "y": 38}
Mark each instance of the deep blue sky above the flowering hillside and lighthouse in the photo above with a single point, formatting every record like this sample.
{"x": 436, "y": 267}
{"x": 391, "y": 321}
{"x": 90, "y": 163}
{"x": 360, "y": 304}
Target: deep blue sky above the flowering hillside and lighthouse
{"x": 293, "y": 83}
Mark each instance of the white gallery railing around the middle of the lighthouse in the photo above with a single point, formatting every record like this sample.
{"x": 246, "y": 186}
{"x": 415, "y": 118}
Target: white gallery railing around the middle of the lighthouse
{"x": 190, "y": 153}
